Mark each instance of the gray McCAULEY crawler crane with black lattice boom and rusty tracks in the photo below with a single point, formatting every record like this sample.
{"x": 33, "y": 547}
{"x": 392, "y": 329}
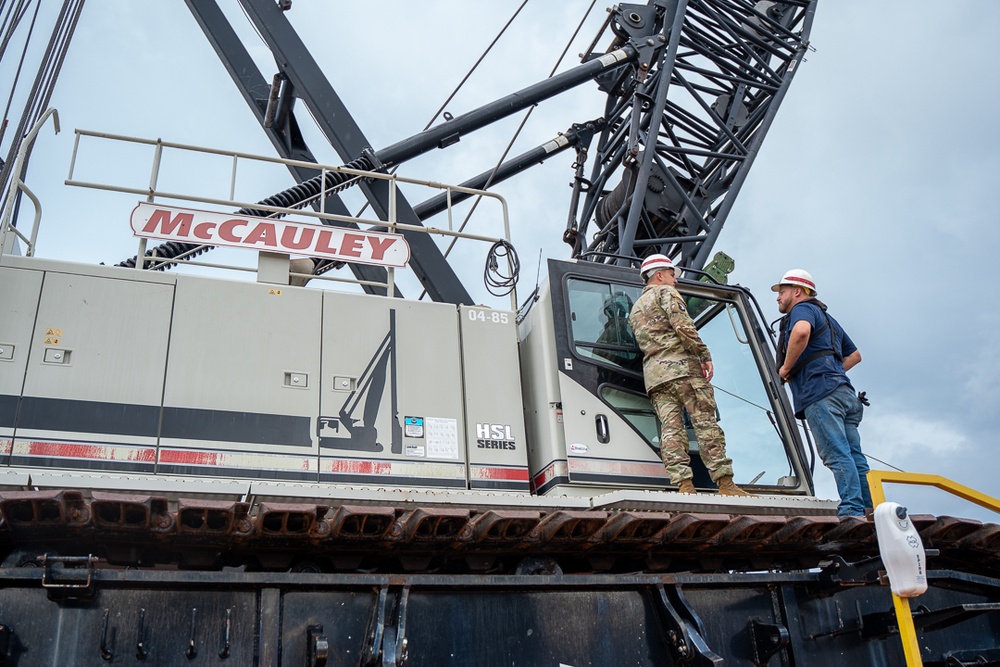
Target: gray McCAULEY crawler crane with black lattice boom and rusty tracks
{"x": 362, "y": 478}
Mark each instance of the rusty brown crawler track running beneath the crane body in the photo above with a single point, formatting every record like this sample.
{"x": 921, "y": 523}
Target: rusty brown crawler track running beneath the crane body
{"x": 150, "y": 531}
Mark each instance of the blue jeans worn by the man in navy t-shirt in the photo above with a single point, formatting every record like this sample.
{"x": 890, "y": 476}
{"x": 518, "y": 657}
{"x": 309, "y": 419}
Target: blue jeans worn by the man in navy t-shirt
{"x": 834, "y": 421}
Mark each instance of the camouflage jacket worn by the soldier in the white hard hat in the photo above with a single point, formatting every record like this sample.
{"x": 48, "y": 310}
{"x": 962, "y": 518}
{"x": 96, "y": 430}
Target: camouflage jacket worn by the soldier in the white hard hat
{"x": 667, "y": 336}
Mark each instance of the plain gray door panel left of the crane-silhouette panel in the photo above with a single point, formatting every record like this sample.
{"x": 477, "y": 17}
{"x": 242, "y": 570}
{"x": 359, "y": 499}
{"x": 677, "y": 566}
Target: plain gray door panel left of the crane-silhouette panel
{"x": 243, "y": 373}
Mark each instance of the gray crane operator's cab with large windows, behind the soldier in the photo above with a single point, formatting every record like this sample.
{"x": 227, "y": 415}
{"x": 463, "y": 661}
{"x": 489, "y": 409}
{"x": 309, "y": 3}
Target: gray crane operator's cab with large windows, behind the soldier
{"x": 606, "y": 431}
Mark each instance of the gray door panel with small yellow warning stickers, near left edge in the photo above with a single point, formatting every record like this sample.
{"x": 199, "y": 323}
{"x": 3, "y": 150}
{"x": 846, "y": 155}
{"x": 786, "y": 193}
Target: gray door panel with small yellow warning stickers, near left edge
{"x": 89, "y": 378}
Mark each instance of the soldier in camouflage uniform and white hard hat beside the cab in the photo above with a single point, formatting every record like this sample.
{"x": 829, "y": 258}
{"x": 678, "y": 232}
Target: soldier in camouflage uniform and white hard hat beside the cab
{"x": 677, "y": 368}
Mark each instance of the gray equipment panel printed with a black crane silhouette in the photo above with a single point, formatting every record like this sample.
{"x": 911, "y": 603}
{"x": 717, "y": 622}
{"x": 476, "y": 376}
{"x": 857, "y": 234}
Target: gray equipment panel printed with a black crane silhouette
{"x": 392, "y": 410}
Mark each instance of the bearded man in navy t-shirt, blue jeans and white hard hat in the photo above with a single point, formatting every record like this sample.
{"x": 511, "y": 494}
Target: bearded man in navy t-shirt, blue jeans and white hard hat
{"x": 814, "y": 355}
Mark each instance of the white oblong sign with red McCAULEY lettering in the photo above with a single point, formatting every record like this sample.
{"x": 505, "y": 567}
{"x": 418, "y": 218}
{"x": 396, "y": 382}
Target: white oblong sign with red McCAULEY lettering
{"x": 170, "y": 223}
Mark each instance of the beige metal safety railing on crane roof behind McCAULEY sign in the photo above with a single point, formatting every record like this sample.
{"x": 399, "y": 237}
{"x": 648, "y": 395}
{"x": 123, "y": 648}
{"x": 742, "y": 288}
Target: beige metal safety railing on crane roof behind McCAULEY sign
{"x": 391, "y": 224}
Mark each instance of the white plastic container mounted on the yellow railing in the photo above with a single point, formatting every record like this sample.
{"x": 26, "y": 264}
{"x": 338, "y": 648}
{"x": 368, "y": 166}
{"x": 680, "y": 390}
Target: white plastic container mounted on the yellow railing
{"x": 901, "y": 549}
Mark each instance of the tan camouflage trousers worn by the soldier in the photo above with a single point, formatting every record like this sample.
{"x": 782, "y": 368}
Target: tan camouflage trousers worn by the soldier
{"x": 695, "y": 395}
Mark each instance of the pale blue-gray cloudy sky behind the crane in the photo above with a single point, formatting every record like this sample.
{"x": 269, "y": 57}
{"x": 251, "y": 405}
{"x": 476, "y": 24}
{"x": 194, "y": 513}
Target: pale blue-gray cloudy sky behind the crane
{"x": 879, "y": 175}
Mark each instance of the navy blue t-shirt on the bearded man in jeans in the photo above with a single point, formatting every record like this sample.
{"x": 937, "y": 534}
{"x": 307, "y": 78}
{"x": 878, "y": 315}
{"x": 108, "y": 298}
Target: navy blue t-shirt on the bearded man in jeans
{"x": 822, "y": 375}
